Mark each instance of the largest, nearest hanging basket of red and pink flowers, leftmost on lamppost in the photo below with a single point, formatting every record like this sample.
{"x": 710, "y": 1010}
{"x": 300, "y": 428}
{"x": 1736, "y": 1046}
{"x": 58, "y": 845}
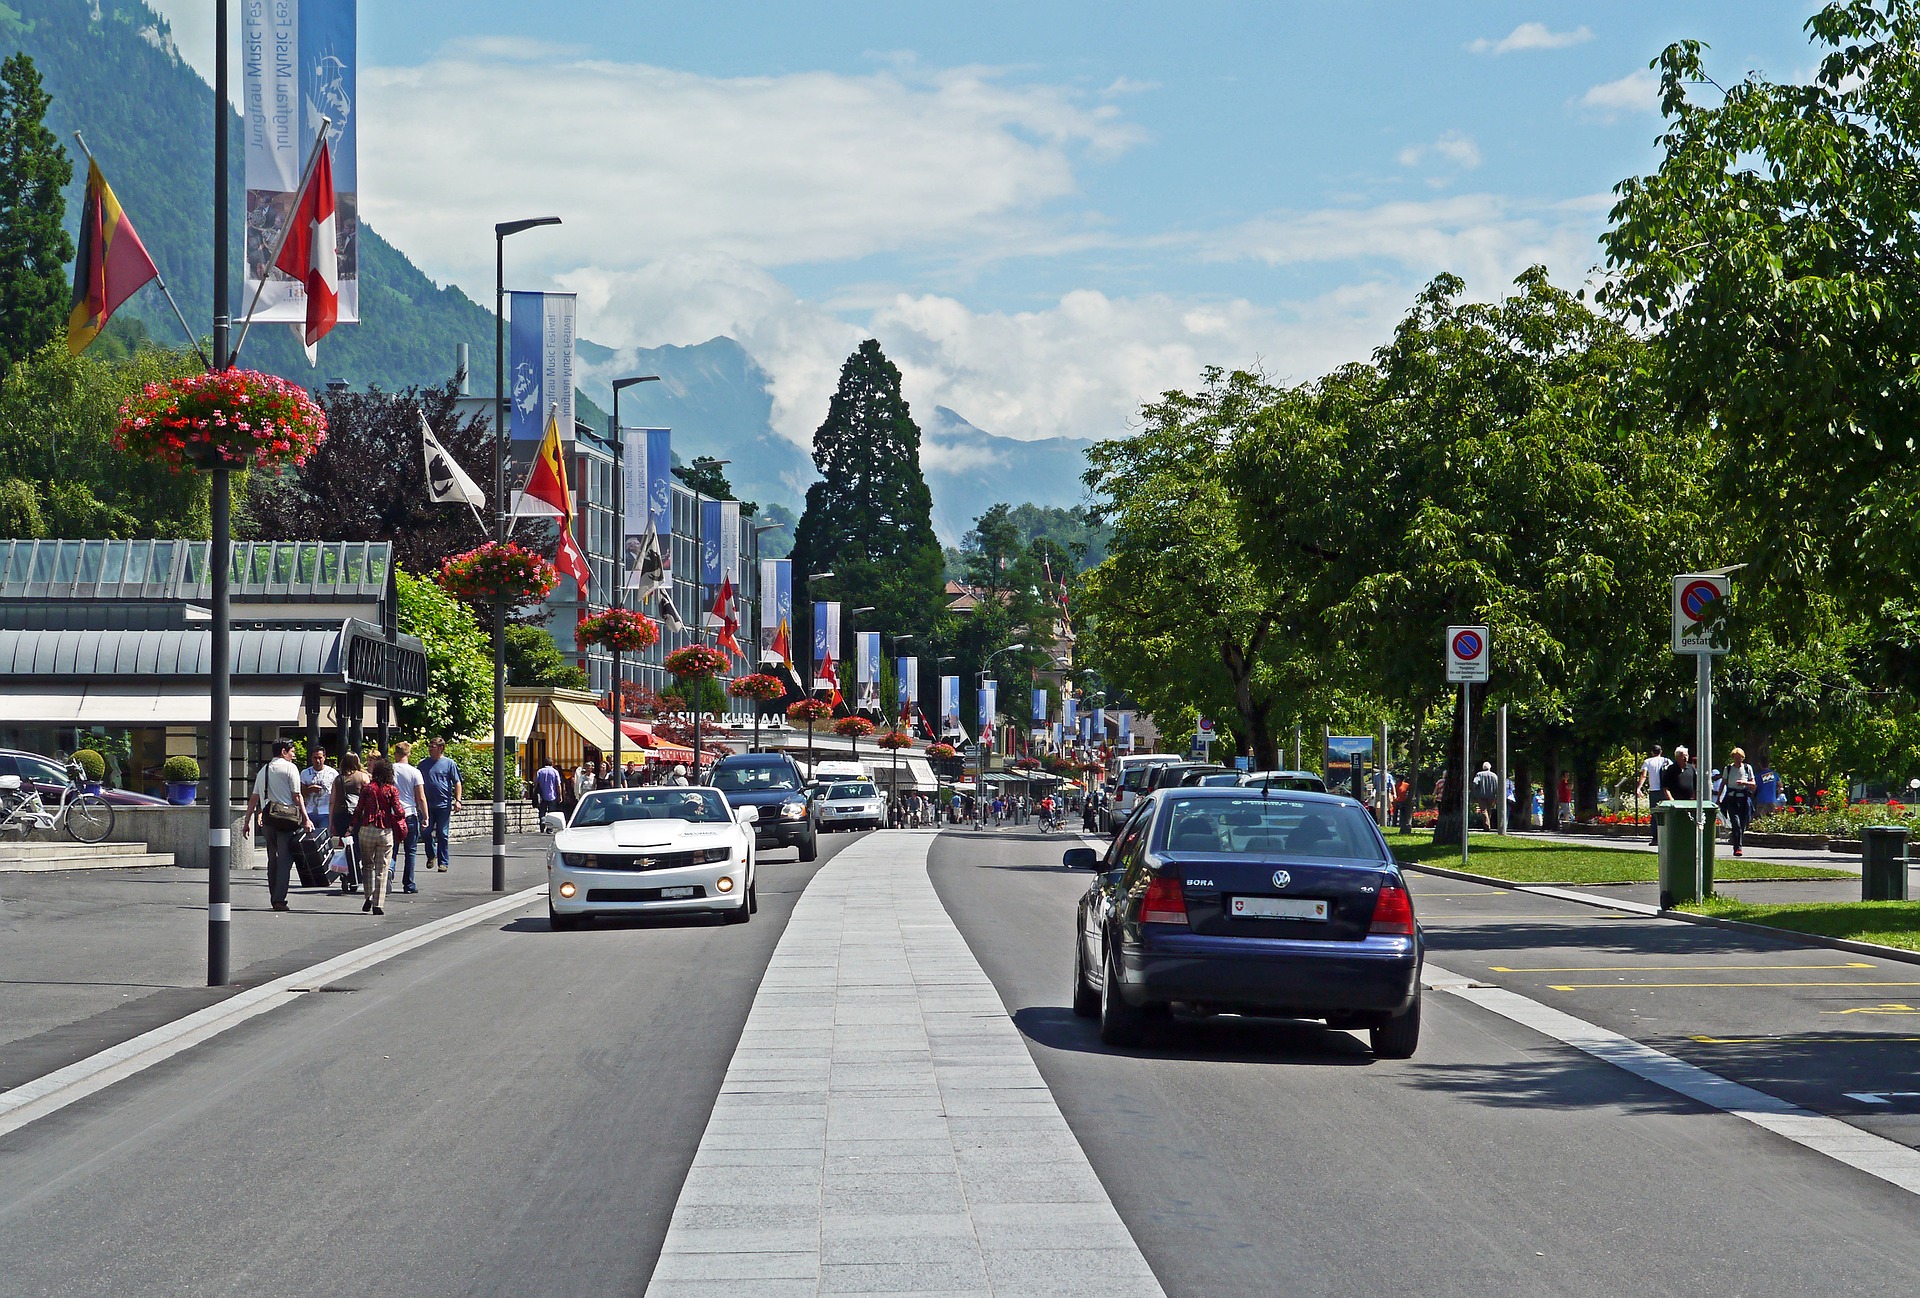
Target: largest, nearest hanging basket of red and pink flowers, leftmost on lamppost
{"x": 222, "y": 420}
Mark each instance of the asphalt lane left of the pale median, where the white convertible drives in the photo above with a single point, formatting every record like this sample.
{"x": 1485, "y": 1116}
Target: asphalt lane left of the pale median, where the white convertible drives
{"x": 506, "y": 1111}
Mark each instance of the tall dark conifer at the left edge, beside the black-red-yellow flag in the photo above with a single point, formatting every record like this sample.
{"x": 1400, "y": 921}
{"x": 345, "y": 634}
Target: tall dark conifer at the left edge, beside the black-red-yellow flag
{"x": 34, "y": 241}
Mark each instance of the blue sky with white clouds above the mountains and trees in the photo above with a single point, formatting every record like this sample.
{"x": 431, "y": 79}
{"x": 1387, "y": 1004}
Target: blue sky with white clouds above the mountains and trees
{"x": 1047, "y": 212}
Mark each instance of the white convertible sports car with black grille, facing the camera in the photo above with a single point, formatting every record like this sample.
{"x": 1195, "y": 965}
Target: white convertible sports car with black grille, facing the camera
{"x": 652, "y": 852}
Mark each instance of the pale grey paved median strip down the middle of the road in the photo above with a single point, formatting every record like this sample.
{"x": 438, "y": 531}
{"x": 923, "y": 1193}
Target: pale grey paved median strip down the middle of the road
{"x": 882, "y": 1126}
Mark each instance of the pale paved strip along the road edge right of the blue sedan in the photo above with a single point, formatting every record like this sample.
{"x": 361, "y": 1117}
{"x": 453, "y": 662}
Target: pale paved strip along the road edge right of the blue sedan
{"x": 1877, "y": 1157}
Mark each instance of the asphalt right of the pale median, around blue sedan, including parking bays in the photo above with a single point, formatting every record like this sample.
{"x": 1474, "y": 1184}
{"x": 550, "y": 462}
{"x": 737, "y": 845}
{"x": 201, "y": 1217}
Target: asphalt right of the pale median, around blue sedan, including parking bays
{"x": 1268, "y": 1159}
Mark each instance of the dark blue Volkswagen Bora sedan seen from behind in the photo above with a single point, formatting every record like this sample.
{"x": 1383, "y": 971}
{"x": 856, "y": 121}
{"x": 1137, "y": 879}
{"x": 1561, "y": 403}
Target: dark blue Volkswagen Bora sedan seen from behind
{"x": 1249, "y": 901}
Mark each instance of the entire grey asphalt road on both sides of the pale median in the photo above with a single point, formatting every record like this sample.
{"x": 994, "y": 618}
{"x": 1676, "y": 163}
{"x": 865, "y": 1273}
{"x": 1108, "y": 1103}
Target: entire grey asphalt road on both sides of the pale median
{"x": 512, "y": 1111}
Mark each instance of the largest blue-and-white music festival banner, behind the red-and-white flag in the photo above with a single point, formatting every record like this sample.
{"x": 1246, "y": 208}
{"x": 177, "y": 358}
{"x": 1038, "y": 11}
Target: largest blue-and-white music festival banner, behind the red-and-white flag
{"x": 299, "y": 62}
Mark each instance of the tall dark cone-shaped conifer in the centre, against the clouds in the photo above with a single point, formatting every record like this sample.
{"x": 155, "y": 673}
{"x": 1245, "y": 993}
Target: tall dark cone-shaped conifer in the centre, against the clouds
{"x": 871, "y": 517}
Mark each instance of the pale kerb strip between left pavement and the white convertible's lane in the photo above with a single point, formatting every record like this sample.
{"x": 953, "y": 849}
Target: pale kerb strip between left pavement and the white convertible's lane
{"x": 97, "y": 1072}
